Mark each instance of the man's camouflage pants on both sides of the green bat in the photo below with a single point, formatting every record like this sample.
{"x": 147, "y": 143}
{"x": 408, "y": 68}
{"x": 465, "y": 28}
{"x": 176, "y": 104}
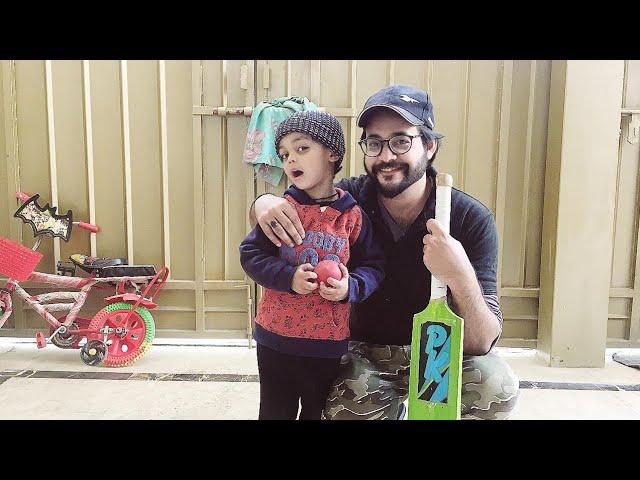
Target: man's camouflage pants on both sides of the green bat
{"x": 373, "y": 381}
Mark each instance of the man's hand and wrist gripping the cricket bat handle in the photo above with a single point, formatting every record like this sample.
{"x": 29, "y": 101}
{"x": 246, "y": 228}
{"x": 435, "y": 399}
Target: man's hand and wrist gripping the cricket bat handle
{"x": 445, "y": 257}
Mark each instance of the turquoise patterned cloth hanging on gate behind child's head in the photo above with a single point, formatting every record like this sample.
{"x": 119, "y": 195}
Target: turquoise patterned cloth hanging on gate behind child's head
{"x": 260, "y": 147}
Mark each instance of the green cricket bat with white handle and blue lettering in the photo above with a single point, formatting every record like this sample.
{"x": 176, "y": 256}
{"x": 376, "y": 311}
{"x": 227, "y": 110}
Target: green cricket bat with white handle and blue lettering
{"x": 435, "y": 375}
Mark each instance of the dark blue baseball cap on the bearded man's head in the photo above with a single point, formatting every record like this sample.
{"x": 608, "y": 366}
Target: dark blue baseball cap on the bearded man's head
{"x": 410, "y": 103}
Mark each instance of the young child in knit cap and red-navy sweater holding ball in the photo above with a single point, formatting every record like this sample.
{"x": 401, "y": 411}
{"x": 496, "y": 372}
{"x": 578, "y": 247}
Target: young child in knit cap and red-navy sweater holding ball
{"x": 302, "y": 328}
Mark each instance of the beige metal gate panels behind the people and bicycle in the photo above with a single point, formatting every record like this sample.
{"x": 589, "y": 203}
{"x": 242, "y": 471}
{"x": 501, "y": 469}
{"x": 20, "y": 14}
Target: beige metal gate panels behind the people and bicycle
{"x": 140, "y": 148}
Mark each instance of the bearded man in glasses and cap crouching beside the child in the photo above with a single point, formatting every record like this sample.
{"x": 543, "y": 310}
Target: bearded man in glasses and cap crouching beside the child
{"x": 398, "y": 193}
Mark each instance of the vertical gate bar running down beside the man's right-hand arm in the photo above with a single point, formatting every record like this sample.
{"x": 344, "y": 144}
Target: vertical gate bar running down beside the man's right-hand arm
{"x": 504, "y": 112}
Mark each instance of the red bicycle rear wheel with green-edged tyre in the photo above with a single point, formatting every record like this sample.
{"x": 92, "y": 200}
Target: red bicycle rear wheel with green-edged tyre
{"x": 141, "y": 329}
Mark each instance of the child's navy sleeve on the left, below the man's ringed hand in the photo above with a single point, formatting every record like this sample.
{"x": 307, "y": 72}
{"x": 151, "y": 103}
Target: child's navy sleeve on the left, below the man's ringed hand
{"x": 259, "y": 258}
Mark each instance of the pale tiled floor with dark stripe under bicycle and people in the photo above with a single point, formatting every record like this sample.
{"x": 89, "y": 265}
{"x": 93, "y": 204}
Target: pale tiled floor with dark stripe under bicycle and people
{"x": 216, "y": 382}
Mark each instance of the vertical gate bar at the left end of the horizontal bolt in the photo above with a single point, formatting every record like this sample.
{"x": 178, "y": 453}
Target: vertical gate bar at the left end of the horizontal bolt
{"x": 198, "y": 196}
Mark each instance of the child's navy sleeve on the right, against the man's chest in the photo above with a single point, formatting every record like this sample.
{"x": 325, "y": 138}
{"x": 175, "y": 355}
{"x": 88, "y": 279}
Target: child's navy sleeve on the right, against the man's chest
{"x": 366, "y": 264}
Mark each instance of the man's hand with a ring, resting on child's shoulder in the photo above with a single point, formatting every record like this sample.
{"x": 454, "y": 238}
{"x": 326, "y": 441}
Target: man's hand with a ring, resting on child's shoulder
{"x": 278, "y": 220}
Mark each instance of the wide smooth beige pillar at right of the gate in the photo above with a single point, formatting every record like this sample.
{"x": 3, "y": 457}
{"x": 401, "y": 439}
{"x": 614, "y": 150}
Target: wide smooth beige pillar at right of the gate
{"x": 580, "y": 182}
